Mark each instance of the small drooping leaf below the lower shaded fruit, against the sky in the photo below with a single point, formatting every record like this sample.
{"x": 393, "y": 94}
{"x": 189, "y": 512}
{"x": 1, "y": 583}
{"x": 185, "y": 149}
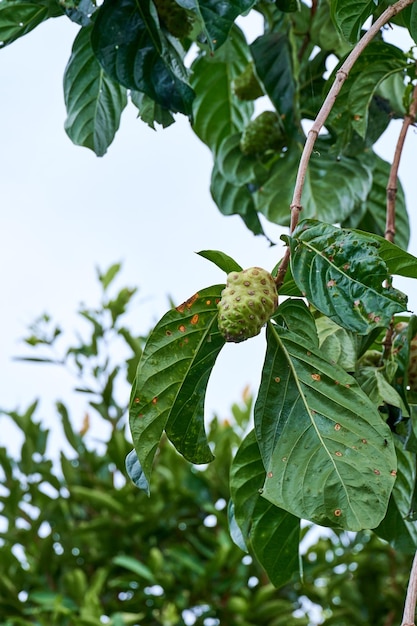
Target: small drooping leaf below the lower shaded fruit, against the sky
{"x": 235, "y": 200}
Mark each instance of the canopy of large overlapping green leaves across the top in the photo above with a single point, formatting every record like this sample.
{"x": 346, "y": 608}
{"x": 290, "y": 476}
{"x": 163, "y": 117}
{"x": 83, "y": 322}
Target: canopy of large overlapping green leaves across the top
{"x": 138, "y": 51}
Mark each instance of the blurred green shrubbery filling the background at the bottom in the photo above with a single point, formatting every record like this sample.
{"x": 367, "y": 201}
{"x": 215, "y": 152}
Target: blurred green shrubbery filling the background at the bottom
{"x": 79, "y": 544}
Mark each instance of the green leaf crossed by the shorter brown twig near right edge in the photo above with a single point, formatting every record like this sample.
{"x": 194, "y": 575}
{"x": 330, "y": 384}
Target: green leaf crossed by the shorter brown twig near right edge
{"x": 371, "y": 215}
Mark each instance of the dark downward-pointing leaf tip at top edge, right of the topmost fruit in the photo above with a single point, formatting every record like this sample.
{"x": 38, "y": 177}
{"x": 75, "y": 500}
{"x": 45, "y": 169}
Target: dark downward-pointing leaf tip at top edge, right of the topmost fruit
{"x": 216, "y": 18}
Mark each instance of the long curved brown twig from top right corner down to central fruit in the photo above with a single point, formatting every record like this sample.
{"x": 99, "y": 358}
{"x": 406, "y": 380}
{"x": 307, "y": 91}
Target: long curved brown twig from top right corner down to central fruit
{"x": 322, "y": 115}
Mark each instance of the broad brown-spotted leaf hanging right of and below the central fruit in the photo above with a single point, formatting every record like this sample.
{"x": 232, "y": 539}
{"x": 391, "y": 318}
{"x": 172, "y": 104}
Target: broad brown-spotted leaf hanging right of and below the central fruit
{"x": 328, "y": 455}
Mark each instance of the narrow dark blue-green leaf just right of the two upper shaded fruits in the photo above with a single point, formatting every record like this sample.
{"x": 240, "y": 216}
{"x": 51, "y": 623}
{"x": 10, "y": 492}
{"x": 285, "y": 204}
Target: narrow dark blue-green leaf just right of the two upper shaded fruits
{"x": 273, "y": 59}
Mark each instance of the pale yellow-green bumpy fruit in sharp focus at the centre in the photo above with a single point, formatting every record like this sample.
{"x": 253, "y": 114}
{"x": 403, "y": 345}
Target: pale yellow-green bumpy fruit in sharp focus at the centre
{"x": 248, "y": 301}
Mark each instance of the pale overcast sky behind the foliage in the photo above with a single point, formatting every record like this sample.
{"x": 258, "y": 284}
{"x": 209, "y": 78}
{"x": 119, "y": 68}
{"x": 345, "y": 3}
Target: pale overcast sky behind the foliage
{"x": 146, "y": 203}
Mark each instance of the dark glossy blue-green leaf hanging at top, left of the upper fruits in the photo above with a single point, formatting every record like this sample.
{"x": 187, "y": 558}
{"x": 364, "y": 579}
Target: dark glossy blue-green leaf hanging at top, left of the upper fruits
{"x": 135, "y": 52}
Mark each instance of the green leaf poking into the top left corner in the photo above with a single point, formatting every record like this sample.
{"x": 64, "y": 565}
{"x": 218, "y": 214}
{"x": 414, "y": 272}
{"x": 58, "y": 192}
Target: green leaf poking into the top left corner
{"x": 19, "y": 18}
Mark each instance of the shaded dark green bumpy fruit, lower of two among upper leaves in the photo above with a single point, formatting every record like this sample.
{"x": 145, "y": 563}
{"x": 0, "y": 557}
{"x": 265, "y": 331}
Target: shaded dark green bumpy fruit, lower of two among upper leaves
{"x": 262, "y": 134}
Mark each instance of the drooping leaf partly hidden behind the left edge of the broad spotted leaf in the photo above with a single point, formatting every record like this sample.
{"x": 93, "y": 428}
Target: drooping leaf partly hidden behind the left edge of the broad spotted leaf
{"x": 273, "y": 533}
